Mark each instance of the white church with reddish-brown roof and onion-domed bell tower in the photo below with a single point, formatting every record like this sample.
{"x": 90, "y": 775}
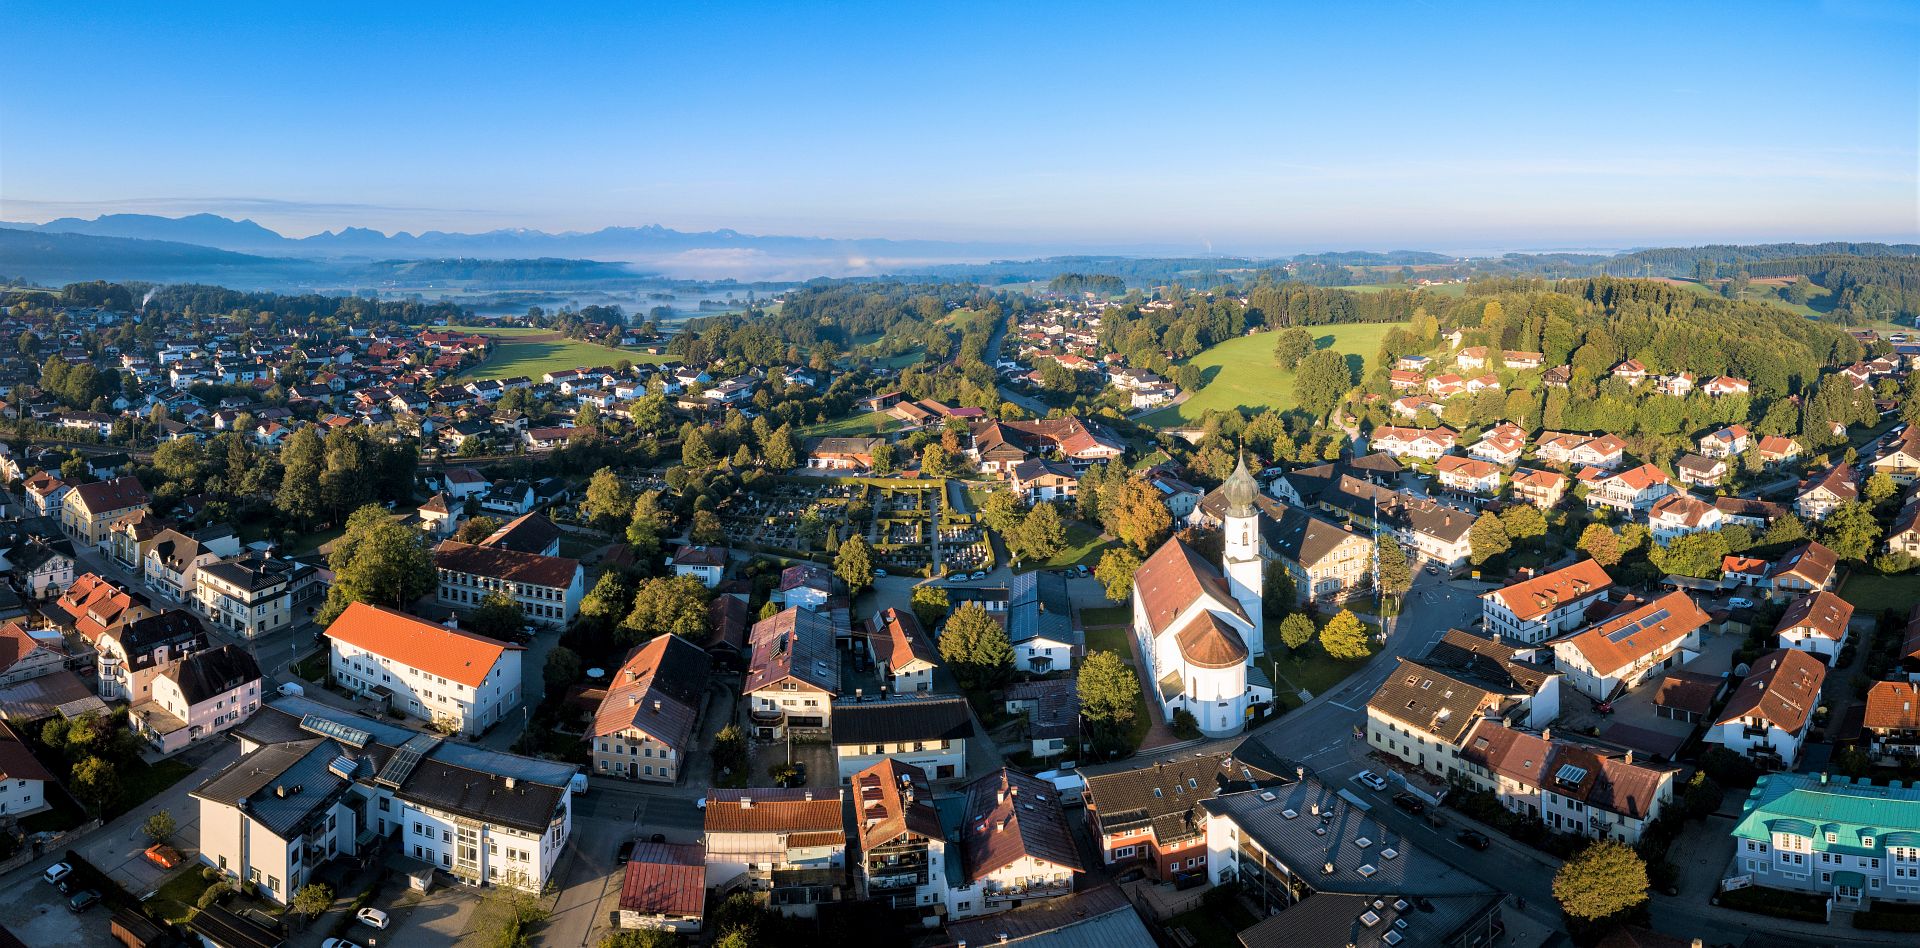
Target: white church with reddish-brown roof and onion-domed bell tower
{"x": 1201, "y": 625}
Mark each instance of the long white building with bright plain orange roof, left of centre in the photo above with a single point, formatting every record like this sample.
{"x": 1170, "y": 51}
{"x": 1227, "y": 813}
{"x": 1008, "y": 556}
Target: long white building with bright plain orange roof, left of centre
{"x": 456, "y": 680}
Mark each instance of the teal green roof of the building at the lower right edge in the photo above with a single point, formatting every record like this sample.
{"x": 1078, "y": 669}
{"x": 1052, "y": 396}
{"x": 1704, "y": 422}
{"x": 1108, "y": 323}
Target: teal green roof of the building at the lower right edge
{"x": 1852, "y": 811}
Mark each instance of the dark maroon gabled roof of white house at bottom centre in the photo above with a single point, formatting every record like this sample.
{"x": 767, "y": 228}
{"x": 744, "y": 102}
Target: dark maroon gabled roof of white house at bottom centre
{"x": 1009, "y": 817}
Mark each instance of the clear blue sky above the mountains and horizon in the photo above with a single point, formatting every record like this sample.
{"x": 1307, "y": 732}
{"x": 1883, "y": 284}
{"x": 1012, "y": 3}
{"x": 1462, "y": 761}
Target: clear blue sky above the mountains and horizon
{"x": 1268, "y": 128}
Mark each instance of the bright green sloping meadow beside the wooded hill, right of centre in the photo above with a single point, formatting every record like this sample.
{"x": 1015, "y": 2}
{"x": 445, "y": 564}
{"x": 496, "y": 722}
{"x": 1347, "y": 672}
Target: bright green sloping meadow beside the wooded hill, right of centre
{"x": 1241, "y": 375}
